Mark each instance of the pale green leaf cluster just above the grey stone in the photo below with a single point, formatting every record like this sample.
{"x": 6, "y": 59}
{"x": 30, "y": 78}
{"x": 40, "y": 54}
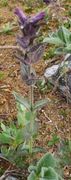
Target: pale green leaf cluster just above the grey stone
{"x": 61, "y": 39}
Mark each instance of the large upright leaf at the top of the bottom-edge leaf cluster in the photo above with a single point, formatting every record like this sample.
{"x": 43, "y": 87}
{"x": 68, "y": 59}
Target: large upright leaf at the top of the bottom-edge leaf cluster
{"x": 46, "y": 161}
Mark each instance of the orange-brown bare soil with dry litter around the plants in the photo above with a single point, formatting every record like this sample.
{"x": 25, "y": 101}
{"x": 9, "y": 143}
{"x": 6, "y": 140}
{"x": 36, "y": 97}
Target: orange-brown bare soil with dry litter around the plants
{"x": 56, "y": 116}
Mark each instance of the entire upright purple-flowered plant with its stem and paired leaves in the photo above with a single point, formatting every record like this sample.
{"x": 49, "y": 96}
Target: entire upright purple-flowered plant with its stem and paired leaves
{"x": 30, "y": 52}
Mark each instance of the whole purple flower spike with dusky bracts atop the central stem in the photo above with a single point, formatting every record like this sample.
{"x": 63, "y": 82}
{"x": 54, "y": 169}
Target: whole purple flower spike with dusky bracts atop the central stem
{"x": 30, "y": 52}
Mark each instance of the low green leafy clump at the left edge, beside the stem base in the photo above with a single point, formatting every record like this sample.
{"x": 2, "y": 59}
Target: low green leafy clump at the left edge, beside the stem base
{"x": 14, "y": 142}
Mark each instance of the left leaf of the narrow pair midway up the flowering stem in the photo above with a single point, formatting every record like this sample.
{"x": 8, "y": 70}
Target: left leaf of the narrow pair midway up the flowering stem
{"x": 22, "y": 100}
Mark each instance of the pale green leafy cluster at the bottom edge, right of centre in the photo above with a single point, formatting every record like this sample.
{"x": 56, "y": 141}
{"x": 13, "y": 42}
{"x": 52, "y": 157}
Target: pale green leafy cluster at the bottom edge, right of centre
{"x": 45, "y": 169}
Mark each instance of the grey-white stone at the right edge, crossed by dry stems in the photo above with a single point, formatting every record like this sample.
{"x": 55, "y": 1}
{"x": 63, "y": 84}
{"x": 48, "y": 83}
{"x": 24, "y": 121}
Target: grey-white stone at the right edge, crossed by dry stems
{"x": 60, "y": 75}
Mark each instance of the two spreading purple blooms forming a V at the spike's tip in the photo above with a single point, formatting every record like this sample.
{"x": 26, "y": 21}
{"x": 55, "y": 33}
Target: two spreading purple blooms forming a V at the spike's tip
{"x": 29, "y": 25}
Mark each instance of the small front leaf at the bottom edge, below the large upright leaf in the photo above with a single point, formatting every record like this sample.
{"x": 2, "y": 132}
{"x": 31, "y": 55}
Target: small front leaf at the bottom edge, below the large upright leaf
{"x": 49, "y": 173}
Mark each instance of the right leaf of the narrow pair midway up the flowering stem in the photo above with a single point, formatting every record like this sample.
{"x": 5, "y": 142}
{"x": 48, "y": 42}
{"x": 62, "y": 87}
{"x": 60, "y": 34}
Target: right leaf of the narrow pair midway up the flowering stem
{"x": 39, "y": 104}
